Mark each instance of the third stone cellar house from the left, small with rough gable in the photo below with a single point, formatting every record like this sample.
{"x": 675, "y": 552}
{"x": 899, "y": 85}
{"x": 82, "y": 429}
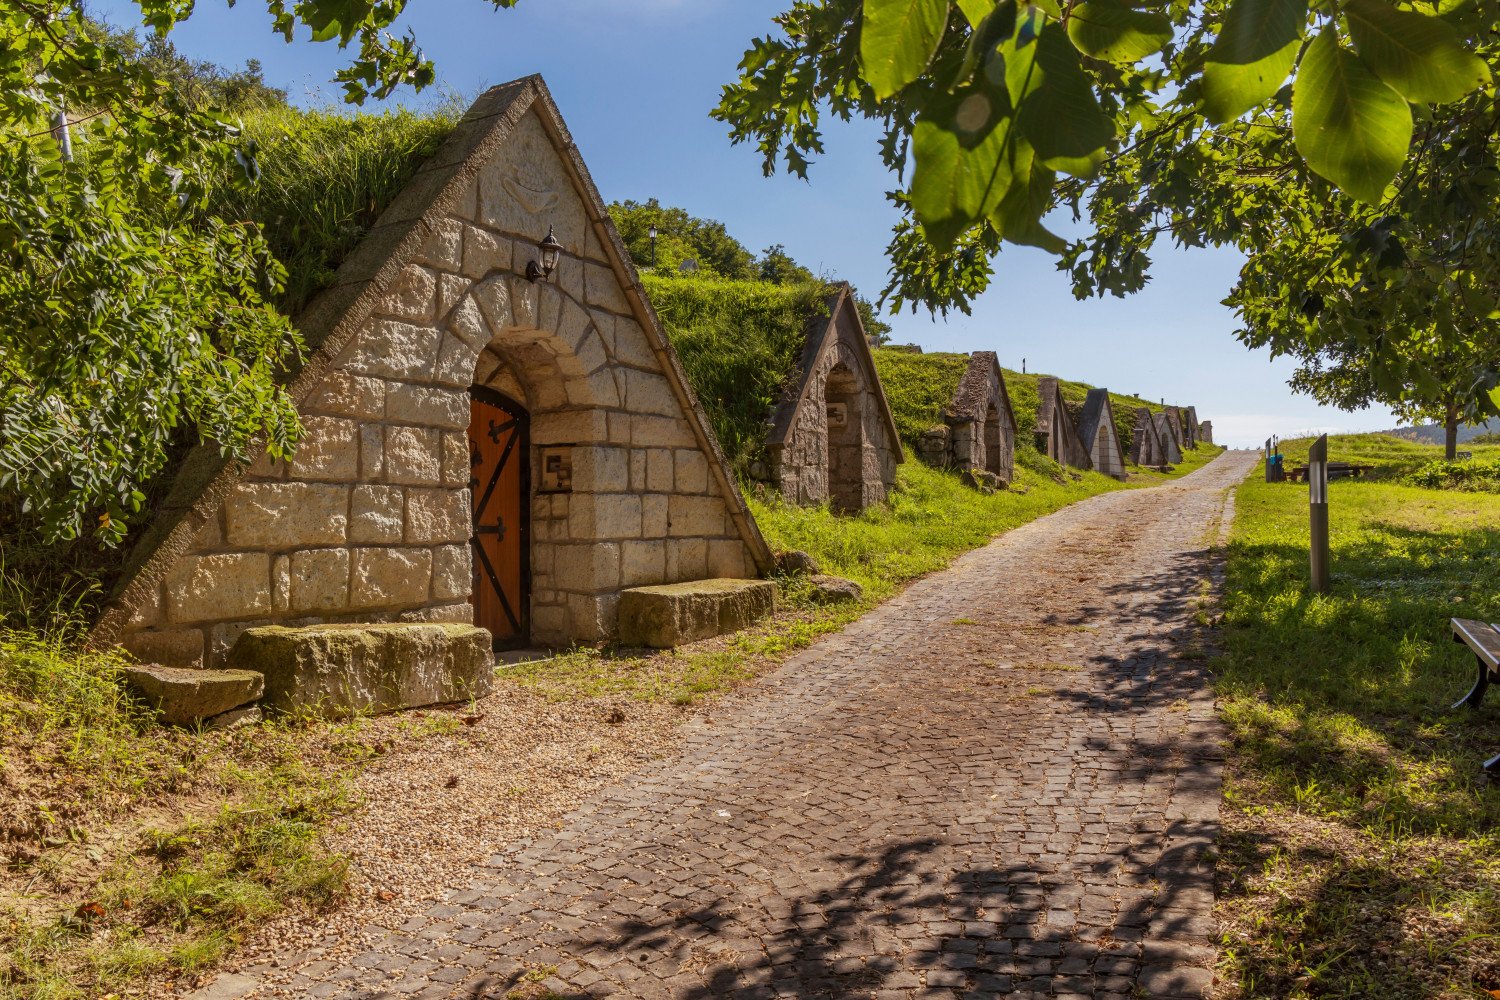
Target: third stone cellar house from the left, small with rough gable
{"x": 979, "y": 428}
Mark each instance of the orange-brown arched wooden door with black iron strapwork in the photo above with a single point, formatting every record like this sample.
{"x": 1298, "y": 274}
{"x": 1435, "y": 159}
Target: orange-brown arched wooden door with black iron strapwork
{"x": 500, "y": 481}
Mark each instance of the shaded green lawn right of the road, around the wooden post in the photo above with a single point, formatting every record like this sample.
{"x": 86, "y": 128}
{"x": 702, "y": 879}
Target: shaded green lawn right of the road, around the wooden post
{"x": 1363, "y": 848}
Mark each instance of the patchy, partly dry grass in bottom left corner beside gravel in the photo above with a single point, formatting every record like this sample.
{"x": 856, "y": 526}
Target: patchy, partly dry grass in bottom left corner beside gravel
{"x": 136, "y": 854}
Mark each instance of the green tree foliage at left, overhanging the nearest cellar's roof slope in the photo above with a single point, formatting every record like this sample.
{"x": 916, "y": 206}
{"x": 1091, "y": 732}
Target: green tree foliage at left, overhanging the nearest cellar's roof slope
{"x": 131, "y": 317}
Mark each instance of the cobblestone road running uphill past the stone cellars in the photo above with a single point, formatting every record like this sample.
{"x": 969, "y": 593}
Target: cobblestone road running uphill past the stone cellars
{"x": 1003, "y": 783}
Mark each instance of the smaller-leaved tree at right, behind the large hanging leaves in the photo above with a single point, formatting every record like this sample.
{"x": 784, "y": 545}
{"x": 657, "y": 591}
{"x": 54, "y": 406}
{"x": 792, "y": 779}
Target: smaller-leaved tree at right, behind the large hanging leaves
{"x": 1394, "y": 302}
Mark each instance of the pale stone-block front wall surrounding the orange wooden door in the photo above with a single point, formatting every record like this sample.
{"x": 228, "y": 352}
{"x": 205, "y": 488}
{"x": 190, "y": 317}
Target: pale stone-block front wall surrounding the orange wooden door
{"x": 371, "y": 521}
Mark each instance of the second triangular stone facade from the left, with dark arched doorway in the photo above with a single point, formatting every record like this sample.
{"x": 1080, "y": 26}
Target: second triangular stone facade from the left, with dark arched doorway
{"x": 833, "y": 439}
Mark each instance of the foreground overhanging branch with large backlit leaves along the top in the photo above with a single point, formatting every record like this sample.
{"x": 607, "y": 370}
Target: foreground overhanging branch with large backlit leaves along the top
{"x": 988, "y": 104}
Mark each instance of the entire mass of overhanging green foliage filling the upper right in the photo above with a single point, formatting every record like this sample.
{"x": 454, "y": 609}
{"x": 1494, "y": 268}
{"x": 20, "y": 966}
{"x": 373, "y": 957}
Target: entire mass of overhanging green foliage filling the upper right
{"x": 1160, "y": 116}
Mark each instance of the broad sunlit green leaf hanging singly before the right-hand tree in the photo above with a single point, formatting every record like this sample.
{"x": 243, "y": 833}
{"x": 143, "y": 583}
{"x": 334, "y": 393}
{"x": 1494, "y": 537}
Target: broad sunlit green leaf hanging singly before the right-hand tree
{"x": 1349, "y": 127}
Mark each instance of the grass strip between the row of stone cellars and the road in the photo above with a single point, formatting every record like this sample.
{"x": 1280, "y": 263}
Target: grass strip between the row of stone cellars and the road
{"x": 931, "y": 519}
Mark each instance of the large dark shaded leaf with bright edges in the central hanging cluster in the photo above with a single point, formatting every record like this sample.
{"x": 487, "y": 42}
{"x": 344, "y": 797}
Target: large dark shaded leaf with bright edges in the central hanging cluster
{"x": 1057, "y": 107}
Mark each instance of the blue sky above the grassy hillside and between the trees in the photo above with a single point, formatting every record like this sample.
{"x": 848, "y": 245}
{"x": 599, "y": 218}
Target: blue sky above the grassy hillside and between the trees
{"x": 637, "y": 79}
